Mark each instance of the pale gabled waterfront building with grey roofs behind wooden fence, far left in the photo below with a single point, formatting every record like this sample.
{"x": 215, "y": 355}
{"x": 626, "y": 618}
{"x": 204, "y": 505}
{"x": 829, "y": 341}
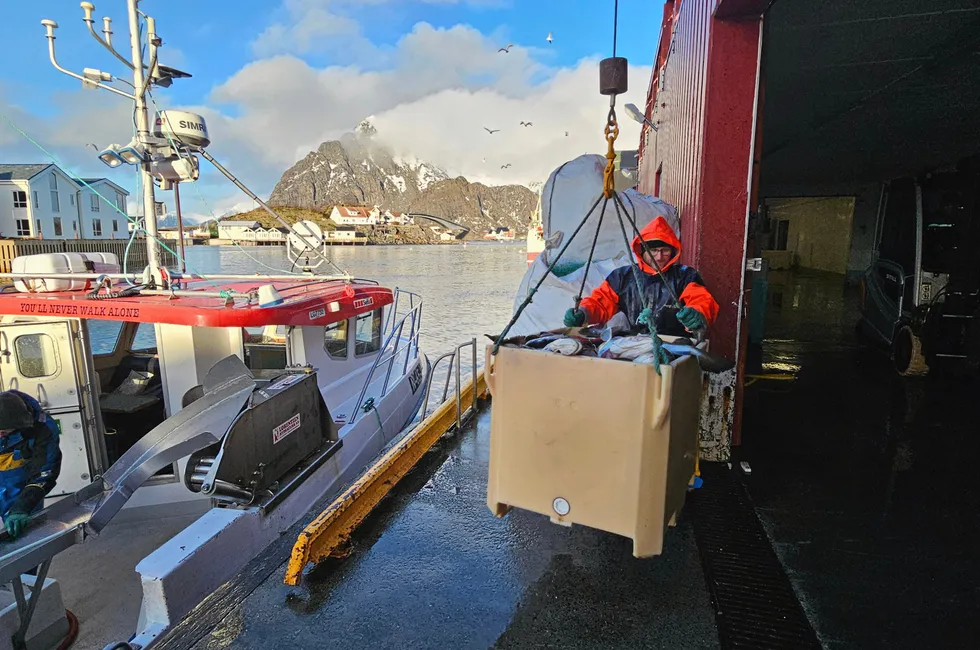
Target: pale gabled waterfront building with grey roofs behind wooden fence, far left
{"x": 43, "y": 201}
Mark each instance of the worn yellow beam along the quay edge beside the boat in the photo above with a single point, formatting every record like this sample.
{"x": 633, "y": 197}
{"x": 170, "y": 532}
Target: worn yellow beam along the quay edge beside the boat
{"x": 332, "y": 528}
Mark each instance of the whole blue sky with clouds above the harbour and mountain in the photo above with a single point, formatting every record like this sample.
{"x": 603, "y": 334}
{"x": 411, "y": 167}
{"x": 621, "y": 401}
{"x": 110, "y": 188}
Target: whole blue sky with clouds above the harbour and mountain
{"x": 275, "y": 78}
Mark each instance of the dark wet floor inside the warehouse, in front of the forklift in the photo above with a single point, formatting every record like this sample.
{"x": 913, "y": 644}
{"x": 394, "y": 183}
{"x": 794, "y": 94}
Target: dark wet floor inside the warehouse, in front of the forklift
{"x": 864, "y": 480}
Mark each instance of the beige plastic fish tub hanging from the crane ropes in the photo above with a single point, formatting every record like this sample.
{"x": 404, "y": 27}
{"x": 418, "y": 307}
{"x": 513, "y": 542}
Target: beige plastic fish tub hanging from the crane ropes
{"x": 599, "y": 442}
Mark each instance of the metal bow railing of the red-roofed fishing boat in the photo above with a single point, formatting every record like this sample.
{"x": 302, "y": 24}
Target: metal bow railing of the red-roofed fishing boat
{"x": 393, "y": 336}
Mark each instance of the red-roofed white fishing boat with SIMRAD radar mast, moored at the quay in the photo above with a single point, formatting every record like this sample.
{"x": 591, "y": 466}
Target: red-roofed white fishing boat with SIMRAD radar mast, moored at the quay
{"x": 246, "y": 398}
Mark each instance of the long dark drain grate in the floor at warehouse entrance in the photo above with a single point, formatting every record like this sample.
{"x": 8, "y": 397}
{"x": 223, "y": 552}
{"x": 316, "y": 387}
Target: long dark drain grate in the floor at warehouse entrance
{"x": 755, "y": 606}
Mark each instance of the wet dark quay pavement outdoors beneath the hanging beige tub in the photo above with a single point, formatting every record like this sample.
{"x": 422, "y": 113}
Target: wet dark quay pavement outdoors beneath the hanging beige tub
{"x": 432, "y": 568}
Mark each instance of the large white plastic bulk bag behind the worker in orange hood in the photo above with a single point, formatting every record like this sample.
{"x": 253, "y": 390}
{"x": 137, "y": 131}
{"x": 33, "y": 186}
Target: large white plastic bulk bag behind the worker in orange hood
{"x": 565, "y": 199}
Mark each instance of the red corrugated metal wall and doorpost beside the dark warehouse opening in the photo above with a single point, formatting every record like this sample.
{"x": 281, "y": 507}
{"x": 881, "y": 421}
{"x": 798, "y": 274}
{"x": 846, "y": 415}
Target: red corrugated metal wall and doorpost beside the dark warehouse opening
{"x": 702, "y": 98}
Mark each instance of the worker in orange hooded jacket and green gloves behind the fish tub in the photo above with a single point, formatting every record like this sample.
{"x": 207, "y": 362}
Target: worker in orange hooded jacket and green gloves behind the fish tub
{"x": 619, "y": 291}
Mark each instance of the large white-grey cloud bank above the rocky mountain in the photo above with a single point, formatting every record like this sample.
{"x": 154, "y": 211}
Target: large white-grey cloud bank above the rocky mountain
{"x": 441, "y": 88}
